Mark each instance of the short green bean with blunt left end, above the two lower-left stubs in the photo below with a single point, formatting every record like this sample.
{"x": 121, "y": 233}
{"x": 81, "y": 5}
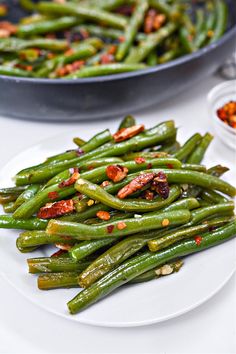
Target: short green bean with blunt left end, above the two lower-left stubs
{"x": 39, "y": 238}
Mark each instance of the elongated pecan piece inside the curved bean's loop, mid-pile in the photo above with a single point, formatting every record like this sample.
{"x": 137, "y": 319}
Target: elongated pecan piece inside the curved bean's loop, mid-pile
{"x": 136, "y": 184}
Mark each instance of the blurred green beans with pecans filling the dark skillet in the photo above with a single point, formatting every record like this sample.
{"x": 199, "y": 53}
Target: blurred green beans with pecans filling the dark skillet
{"x": 94, "y": 38}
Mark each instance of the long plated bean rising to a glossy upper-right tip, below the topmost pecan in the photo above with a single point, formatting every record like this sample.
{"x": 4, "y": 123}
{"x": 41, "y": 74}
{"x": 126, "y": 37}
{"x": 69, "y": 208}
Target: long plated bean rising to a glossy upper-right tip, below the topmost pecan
{"x": 152, "y": 137}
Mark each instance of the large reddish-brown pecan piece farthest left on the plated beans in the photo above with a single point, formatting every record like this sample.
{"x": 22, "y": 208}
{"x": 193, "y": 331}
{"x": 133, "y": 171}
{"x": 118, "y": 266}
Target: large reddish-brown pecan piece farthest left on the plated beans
{"x": 52, "y": 210}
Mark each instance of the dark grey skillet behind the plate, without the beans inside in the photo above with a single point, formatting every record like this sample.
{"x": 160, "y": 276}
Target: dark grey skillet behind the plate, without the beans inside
{"x": 114, "y": 95}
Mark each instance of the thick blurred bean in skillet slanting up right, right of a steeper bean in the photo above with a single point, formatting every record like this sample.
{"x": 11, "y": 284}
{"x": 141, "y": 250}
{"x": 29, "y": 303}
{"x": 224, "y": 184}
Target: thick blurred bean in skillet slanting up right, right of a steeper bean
{"x": 139, "y": 53}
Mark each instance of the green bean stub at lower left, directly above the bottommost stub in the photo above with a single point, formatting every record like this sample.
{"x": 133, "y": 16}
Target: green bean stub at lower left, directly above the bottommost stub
{"x": 55, "y": 264}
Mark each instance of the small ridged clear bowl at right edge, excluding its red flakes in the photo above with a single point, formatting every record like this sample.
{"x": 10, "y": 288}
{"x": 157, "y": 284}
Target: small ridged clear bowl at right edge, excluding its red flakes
{"x": 217, "y": 97}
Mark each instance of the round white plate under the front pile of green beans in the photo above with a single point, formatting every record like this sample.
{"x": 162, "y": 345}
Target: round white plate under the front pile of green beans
{"x": 201, "y": 277}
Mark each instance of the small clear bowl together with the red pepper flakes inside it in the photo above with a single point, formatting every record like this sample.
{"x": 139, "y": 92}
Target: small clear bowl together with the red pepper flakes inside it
{"x": 222, "y": 109}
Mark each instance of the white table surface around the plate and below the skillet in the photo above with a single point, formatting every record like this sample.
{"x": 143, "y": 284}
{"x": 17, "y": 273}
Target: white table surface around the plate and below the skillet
{"x": 25, "y": 328}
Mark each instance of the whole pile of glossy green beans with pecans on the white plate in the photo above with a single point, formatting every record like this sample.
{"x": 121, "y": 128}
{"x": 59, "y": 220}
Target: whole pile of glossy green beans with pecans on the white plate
{"x": 106, "y": 240}
